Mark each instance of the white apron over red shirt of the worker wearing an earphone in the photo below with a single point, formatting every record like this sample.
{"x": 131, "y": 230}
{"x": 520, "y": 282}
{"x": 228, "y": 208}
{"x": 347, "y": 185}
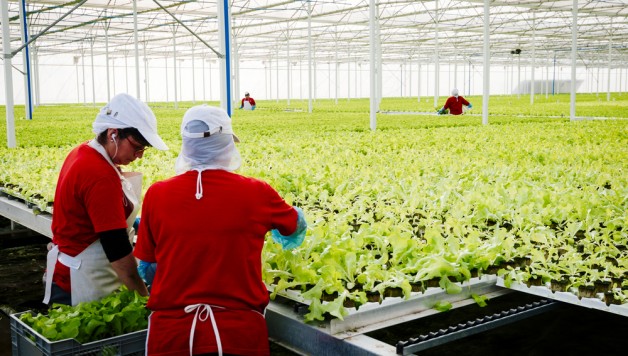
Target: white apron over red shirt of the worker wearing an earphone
{"x": 91, "y": 274}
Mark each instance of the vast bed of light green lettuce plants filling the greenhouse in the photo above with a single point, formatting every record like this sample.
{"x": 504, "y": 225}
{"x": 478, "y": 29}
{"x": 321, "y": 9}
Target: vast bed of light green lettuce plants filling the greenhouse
{"x": 423, "y": 202}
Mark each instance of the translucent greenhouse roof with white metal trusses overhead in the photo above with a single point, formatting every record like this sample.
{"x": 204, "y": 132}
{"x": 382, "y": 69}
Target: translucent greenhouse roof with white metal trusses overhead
{"x": 278, "y": 30}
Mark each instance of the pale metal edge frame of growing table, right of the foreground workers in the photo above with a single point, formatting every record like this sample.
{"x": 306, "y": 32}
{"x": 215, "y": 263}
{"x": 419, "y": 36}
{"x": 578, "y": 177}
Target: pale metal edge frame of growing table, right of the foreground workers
{"x": 286, "y": 327}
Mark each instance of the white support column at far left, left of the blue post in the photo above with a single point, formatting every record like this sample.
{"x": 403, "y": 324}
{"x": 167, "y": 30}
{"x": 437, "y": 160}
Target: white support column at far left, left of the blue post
{"x": 8, "y": 75}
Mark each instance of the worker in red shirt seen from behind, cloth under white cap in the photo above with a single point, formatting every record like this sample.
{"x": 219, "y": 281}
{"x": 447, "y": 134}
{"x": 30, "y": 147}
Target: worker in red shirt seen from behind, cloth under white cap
{"x": 205, "y": 229}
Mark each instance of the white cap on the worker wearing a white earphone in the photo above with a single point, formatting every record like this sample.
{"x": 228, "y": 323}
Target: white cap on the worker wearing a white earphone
{"x": 125, "y": 111}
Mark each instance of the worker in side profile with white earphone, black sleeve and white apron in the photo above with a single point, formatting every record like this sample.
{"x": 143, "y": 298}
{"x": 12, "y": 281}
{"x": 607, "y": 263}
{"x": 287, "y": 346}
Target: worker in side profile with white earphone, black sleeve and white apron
{"x": 95, "y": 206}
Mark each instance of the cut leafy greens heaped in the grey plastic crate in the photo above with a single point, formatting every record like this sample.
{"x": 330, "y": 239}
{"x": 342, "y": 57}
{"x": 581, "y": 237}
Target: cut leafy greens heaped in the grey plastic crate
{"x": 120, "y": 313}
